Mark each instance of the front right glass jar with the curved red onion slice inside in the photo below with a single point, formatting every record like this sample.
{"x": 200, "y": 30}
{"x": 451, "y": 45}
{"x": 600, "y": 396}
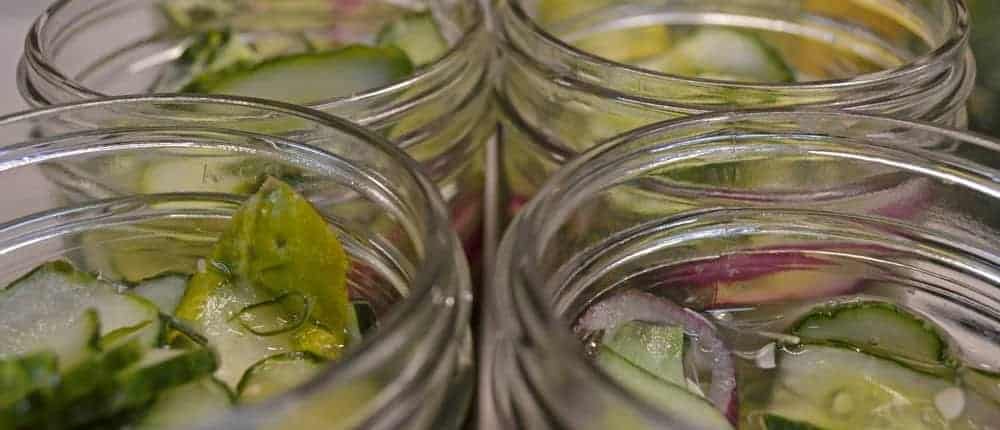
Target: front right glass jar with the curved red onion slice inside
{"x": 740, "y": 221}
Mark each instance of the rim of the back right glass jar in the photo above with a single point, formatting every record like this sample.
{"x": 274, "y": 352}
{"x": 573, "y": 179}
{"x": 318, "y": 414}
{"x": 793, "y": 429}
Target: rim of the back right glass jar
{"x": 954, "y": 44}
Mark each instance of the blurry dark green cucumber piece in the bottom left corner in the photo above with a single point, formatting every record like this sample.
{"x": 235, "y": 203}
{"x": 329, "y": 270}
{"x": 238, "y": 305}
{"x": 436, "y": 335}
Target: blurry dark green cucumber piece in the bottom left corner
{"x": 27, "y": 385}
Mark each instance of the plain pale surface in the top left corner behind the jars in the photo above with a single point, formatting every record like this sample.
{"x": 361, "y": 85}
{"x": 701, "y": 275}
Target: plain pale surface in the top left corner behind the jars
{"x": 15, "y": 18}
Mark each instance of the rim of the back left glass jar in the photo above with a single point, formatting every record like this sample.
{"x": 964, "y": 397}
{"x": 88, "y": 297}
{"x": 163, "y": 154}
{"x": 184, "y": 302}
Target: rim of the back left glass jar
{"x": 38, "y": 58}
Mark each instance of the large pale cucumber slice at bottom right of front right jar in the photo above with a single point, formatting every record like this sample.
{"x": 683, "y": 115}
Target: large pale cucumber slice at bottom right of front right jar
{"x": 837, "y": 388}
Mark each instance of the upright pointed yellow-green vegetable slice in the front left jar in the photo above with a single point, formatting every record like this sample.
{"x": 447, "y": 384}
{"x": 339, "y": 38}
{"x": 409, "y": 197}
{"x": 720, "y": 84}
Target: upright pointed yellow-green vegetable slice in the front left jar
{"x": 277, "y": 244}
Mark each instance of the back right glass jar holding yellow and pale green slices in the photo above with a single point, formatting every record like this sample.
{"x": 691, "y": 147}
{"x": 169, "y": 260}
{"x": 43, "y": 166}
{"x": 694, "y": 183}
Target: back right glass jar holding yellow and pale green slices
{"x": 570, "y": 79}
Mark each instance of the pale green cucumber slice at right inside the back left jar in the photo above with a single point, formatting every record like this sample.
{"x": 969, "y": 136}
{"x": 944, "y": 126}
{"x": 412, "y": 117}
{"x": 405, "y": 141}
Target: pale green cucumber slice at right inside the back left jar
{"x": 417, "y": 35}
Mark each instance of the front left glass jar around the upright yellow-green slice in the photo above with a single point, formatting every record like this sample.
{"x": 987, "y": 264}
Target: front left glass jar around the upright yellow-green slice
{"x": 78, "y": 188}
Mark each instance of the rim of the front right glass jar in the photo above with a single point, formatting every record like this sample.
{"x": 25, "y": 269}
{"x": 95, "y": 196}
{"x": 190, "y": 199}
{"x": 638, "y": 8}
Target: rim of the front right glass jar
{"x": 524, "y": 287}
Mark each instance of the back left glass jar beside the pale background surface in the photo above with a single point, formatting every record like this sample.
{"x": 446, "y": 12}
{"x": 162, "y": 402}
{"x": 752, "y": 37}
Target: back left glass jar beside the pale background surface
{"x": 441, "y": 114}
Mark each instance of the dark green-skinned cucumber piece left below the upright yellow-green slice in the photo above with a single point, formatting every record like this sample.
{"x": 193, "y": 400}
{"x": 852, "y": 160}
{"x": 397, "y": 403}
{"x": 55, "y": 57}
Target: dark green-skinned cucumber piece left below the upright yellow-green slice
{"x": 160, "y": 369}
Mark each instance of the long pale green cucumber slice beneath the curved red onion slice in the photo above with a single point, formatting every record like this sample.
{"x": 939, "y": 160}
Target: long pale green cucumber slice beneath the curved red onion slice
{"x": 671, "y": 398}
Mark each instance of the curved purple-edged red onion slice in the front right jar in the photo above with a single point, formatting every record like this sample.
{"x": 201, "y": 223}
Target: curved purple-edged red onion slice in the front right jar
{"x": 640, "y": 306}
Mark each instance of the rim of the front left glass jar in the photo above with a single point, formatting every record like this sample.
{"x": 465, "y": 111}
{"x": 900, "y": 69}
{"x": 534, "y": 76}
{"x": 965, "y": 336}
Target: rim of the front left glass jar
{"x": 425, "y": 285}
